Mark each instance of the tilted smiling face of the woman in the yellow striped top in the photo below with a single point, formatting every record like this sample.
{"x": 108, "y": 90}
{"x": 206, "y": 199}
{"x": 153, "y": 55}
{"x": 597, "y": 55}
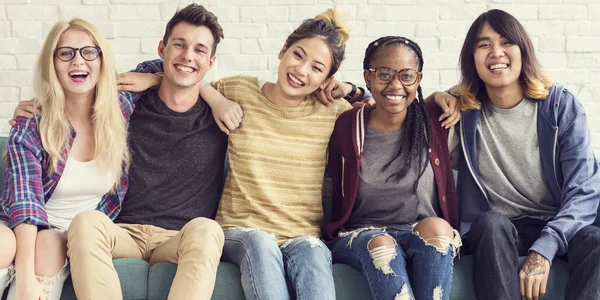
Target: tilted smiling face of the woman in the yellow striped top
{"x": 303, "y": 67}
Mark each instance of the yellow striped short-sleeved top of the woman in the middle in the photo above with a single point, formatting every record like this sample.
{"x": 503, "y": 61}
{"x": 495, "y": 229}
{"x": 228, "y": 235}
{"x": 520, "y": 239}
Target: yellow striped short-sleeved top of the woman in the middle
{"x": 277, "y": 160}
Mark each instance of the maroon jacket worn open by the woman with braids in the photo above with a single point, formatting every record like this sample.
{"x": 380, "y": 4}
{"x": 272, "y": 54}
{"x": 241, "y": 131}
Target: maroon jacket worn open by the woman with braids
{"x": 343, "y": 166}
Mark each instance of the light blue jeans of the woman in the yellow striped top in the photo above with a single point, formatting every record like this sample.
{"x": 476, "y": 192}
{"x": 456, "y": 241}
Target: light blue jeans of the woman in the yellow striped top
{"x": 304, "y": 261}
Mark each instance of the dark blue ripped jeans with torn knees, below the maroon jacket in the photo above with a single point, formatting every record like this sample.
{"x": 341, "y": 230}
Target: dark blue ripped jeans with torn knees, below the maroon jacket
{"x": 417, "y": 270}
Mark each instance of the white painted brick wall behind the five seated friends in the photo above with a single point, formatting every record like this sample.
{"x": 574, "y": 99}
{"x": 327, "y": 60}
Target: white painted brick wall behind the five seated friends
{"x": 566, "y": 35}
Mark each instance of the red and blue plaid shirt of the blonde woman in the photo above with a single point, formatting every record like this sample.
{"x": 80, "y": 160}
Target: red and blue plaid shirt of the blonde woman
{"x": 28, "y": 184}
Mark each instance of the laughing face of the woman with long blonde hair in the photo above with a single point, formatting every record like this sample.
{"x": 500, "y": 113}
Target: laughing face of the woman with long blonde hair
{"x": 78, "y": 76}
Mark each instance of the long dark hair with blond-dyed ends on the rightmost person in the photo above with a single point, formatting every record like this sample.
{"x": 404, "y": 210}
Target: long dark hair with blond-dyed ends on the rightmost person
{"x": 534, "y": 82}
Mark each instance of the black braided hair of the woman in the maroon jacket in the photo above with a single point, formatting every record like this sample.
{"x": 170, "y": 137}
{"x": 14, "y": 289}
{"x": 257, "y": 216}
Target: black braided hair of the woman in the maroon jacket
{"x": 416, "y": 134}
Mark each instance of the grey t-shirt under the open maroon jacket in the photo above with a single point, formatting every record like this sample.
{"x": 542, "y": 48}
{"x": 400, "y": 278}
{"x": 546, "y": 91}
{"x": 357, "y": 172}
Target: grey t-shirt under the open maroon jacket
{"x": 392, "y": 204}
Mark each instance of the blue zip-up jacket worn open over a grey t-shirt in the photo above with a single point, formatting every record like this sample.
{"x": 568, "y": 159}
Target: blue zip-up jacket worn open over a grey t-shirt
{"x": 568, "y": 163}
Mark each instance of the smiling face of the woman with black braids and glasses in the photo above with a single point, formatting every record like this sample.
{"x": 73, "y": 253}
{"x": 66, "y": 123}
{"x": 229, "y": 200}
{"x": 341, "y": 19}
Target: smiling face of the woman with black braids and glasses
{"x": 393, "y": 97}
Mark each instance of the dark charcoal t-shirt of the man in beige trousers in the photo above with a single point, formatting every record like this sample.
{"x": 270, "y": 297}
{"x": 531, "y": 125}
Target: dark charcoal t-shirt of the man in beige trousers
{"x": 177, "y": 162}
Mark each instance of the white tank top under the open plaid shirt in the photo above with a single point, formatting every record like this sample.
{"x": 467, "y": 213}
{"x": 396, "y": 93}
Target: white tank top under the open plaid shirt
{"x": 80, "y": 188}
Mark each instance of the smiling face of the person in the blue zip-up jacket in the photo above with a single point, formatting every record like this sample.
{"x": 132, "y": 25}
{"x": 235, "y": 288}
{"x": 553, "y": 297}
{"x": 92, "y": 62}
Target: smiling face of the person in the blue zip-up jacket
{"x": 497, "y": 60}
